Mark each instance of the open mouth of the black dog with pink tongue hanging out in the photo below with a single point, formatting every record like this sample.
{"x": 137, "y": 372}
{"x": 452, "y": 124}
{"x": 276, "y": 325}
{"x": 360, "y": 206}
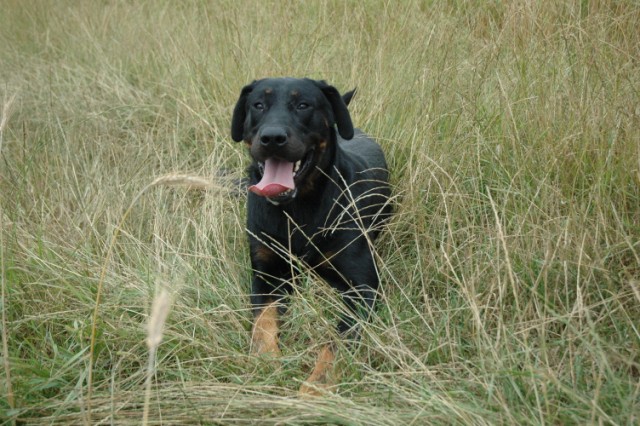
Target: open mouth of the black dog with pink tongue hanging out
{"x": 278, "y": 177}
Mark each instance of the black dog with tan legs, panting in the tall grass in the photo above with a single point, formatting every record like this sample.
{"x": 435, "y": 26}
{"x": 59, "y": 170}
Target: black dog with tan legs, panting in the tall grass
{"x": 317, "y": 194}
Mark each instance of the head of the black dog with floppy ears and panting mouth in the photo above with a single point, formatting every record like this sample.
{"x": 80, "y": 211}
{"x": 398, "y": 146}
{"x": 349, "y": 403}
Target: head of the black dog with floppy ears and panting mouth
{"x": 289, "y": 126}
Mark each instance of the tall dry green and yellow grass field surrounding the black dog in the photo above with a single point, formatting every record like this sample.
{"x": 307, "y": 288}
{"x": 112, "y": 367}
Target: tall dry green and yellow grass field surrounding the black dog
{"x": 511, "y": 269}
